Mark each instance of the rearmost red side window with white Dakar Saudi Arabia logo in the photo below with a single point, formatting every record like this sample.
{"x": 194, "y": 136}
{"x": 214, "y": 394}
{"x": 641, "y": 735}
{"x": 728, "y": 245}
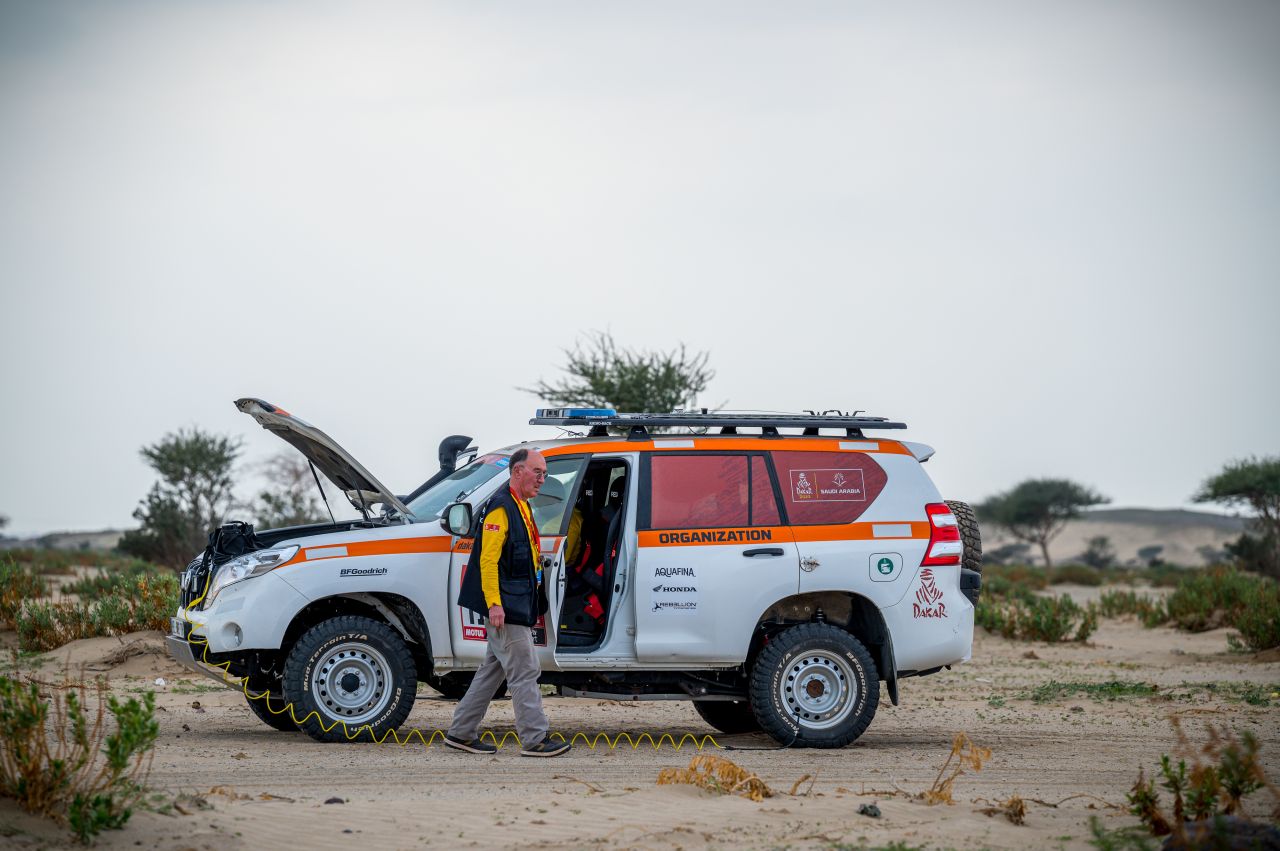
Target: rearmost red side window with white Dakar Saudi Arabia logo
{"x": 828, "y": 487}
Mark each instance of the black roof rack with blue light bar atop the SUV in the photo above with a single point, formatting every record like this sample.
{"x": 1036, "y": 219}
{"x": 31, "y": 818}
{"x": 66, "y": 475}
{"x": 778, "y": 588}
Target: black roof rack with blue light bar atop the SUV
{"x": 638, "y": 424}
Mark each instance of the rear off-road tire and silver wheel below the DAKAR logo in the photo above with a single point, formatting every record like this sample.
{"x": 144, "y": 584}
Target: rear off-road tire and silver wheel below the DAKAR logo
{"x": 815, "y": 685}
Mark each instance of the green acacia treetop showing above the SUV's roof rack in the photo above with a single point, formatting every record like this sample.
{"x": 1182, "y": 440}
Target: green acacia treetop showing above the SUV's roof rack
{"x": 605, "y": 376}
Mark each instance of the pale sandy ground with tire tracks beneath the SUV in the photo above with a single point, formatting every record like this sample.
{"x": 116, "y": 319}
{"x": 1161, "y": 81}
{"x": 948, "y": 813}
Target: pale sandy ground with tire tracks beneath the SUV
{"x": 243, "y": 785}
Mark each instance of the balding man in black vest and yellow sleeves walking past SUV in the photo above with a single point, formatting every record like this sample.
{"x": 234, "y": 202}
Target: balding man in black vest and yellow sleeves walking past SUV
{"x": 504, "y": 584}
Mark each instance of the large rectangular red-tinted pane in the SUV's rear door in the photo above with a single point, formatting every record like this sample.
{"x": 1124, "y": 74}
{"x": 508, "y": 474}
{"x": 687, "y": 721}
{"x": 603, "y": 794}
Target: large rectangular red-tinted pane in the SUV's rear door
{"x": 698, "y": 492}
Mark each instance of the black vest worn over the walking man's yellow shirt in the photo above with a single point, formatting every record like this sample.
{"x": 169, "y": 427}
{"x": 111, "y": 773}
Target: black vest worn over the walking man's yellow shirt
{"x": 523, "y": 598}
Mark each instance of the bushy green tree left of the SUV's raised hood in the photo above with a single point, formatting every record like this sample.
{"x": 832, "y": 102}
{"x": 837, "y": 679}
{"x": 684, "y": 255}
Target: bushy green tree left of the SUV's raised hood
{"x": 193, "y": 497}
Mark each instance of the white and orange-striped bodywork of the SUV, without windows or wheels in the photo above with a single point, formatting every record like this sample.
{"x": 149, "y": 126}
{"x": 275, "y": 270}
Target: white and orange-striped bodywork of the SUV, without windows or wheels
{"x": 679, "y": 605}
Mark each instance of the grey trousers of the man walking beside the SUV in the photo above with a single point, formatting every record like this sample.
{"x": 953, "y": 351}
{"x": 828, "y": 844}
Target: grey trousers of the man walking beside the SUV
{"x": 513, "y": 657}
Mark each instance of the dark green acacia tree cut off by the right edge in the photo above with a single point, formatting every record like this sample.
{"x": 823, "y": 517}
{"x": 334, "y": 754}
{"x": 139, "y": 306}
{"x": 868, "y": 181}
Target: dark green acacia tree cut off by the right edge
{"x": 1254, "y": 483}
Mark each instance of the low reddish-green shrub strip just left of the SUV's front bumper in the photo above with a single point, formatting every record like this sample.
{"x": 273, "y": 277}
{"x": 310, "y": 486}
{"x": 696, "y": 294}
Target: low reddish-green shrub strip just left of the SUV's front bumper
{"x": 147, "y": 605}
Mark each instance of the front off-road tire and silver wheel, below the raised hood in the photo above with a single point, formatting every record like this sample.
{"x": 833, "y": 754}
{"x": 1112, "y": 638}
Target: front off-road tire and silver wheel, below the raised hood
{"x": 373, "y": 658}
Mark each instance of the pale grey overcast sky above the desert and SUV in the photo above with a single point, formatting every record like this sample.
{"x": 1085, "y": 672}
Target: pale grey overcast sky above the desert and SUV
{"x": 1045, "y": 235}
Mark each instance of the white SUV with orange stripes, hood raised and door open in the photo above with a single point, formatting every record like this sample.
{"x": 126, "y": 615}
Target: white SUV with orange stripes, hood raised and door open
{"x": 771, "y": 569}
